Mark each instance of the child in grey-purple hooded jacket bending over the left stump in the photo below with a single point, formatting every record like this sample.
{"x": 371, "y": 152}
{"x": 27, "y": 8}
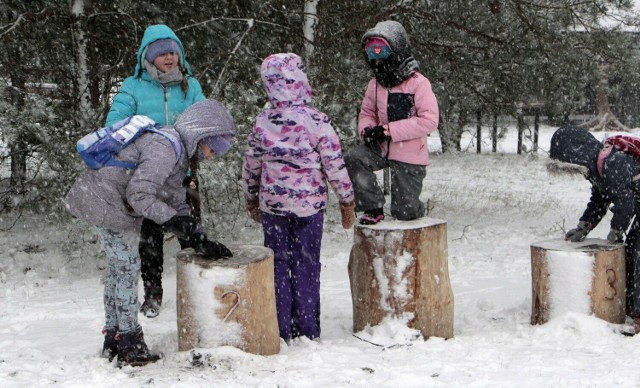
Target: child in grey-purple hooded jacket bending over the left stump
{"x": 116, "y": 200}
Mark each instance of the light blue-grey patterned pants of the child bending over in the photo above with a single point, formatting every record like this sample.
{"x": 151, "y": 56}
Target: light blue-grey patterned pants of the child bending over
{"x": 121, "y": 283}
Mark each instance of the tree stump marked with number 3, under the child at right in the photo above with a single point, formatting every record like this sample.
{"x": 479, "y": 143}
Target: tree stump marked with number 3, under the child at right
{"x": 586, "y": 277}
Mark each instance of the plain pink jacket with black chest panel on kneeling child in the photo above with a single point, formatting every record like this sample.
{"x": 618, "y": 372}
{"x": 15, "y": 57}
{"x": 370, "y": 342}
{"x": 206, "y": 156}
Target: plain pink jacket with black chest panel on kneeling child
{"x": 408, "y": 135}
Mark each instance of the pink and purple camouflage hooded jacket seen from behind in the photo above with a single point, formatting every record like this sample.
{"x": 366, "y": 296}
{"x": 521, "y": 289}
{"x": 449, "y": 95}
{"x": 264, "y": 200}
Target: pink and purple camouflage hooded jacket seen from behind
{"x": 293, "y": 149}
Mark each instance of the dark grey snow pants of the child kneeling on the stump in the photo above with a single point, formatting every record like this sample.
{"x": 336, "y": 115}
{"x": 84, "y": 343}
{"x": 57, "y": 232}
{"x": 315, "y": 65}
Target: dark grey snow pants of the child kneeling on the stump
{"x": 406, "y": 183}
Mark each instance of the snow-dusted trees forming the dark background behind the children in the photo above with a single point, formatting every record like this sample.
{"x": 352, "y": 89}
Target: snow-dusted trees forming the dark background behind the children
{"x": 62, "y": 60}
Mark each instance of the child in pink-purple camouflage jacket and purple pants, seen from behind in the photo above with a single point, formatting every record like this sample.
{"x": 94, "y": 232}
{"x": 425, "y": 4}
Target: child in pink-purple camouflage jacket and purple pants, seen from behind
{"x": 292, "y": 152}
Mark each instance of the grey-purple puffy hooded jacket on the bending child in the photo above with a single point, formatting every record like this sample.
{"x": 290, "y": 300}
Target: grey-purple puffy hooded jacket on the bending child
{"x": 119, "y": 198}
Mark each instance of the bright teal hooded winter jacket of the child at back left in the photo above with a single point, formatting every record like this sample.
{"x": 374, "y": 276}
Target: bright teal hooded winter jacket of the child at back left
{"x": 142, "y": 95}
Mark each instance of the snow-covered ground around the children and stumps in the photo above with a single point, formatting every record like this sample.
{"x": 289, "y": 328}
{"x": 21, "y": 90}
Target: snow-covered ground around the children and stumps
{"x": 495, "y": 205}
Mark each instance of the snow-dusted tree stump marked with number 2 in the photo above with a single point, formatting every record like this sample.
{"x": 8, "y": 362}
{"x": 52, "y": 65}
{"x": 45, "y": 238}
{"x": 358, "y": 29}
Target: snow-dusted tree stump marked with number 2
{"x": 227, "y": 302}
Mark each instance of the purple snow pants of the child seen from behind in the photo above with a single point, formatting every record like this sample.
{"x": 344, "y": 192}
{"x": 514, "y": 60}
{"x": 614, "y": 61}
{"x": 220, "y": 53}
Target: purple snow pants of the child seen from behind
{"x": 295, "y": 242}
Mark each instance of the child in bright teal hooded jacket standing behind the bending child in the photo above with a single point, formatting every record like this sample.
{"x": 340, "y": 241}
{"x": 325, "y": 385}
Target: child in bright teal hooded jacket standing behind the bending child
{"x": 161, "y": 87}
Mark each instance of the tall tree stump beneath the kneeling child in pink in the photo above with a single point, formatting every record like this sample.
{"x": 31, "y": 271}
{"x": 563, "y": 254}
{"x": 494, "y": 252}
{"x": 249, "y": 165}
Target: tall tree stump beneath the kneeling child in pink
{"x": 401, "y": 267}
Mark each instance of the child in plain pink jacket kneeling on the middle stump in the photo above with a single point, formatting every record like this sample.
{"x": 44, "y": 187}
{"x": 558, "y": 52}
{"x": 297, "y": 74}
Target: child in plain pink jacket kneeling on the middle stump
{"x": 397, "y": 113}
